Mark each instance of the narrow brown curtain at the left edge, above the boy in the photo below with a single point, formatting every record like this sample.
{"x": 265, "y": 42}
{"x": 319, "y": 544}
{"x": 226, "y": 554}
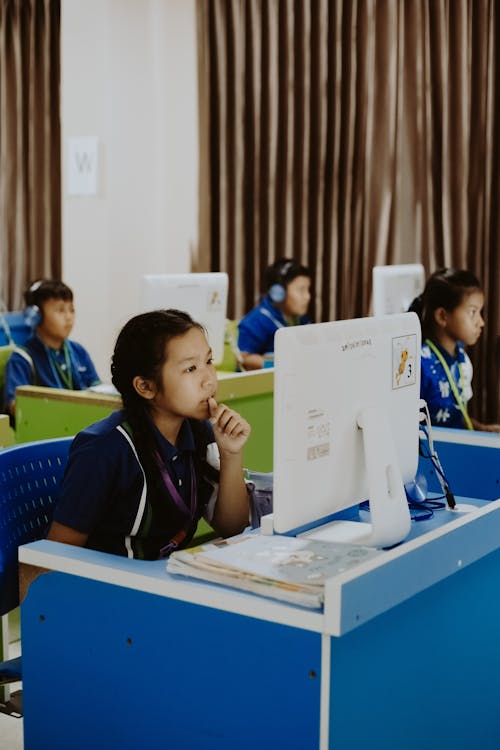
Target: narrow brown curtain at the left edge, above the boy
{"x": 30, "y": 169}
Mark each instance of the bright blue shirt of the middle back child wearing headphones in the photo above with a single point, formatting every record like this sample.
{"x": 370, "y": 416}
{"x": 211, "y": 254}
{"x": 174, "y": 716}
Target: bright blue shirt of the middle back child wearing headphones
{"x": 256, "y": 330}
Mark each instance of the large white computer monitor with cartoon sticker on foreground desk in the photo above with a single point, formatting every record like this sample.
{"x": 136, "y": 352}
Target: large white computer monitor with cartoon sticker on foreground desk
{"x": 346, "y": 418}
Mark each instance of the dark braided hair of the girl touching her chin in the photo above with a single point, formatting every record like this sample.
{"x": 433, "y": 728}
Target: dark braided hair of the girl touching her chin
{"x": 141, "y": 349}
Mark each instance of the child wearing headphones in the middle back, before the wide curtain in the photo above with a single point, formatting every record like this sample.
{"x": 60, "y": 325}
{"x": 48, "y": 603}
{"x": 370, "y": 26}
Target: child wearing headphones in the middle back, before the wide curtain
{"x": 285, "y": 304}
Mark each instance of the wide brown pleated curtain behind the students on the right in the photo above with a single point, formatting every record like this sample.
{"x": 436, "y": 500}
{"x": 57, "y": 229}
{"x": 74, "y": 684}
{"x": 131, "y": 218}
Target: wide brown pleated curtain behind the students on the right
{"x": 348, "y": 134}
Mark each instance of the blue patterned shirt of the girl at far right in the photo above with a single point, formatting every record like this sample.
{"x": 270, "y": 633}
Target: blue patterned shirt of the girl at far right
{"x": 435, "y": 387}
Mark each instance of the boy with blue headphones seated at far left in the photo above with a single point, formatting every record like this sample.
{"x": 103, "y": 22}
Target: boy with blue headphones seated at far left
{"x": 48, "y": 357}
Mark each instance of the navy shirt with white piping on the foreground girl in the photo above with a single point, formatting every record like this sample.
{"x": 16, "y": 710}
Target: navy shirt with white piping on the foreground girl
{"x": 105, "y": 493}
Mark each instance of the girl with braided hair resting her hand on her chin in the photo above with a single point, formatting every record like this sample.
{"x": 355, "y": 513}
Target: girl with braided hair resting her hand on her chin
{"x": 138, "y": 481}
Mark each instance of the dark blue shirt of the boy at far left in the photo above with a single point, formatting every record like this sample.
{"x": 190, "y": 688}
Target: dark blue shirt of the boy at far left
{"x": 37, "y": 364}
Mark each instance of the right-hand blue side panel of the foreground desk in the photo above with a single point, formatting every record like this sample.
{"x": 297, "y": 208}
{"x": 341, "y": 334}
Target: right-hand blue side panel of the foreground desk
{"x": 426, "y": 674}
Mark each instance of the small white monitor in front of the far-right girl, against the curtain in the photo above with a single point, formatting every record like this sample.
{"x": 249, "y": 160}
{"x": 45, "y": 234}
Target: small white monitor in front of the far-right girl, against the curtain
{"x": 395, "y": 287}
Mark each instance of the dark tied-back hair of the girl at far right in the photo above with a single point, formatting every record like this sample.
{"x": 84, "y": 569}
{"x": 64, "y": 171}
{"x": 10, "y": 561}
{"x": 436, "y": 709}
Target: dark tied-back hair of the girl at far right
{"x": 444, "y": 288}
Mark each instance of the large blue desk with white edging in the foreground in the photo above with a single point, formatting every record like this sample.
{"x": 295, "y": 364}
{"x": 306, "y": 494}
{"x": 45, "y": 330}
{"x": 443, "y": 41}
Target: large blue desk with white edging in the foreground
{"x": 405, "y": 654}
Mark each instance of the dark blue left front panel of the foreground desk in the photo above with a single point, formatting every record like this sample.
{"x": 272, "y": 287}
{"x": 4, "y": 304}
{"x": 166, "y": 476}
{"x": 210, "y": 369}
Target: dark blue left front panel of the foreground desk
{"x": 106, "y": 667}
